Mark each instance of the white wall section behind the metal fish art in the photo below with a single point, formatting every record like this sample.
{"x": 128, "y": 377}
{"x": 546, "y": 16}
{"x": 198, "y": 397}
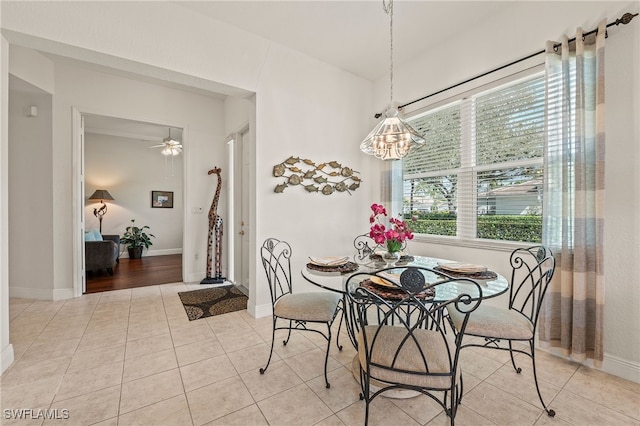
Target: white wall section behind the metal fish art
{"x": 299, "y": 116}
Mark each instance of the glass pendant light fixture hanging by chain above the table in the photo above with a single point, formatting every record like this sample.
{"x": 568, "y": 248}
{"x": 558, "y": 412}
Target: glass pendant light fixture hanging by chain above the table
{"x": 392, "y": 138}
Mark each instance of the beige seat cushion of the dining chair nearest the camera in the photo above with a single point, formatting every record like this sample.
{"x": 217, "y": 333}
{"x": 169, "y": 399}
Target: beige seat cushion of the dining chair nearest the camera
{"x": 387, "y": 342}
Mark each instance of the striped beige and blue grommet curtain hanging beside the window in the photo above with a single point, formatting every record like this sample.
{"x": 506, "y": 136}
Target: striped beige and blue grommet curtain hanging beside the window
{"x": 572, "y": 315}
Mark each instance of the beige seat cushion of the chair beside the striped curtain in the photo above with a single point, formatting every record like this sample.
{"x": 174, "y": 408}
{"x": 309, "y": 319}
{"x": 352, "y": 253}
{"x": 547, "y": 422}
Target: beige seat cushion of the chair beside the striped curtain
{"x": 489, "y": 321}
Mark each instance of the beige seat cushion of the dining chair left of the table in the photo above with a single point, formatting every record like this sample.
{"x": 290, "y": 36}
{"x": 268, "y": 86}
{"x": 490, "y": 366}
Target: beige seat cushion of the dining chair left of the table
{"x": 315, "y": 307}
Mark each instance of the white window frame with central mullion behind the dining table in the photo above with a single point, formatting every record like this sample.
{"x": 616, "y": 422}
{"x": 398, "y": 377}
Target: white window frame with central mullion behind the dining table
{"x": 466, "y": 228}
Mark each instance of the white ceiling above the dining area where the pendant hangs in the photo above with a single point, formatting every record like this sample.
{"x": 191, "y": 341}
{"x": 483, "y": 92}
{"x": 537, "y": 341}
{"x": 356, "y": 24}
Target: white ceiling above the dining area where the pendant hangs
{"x": 352, "y": 35}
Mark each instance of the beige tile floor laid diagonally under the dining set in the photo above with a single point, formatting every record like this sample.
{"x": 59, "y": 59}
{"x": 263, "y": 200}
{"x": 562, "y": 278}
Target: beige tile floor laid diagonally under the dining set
{"x": 131, "y": 357}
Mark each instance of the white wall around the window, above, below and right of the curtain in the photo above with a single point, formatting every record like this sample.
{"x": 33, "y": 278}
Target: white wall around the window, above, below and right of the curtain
{"x": 508, "y": 37}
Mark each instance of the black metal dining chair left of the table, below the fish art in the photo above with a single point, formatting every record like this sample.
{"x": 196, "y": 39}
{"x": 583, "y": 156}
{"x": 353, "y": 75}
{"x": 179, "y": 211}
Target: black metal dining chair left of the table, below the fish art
{"x": 298, "y": 309}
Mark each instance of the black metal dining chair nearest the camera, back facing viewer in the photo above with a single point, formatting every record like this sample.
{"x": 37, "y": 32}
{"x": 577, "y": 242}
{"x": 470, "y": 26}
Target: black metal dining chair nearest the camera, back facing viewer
{"x": 404, "y": 339}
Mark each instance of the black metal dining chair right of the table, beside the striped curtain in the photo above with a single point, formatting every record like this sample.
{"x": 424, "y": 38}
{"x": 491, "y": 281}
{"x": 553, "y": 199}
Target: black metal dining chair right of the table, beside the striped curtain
{"x": 531, "y": 272}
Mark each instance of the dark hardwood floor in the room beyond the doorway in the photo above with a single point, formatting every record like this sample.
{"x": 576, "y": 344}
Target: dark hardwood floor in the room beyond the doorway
{"x": 129, "y": 273}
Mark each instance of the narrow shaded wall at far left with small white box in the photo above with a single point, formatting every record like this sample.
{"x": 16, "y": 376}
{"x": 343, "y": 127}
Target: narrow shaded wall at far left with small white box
{"x": 30, "y": 190}
